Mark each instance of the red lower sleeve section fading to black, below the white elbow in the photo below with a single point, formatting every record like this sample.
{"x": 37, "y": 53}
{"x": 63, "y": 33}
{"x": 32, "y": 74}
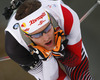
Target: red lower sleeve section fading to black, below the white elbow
{"x": 73, "y": 53}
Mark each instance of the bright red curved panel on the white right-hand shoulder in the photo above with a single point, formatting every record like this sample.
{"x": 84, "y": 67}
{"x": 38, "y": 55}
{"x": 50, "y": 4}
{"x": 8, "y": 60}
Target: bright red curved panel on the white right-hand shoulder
{"x": 68, "y": 20}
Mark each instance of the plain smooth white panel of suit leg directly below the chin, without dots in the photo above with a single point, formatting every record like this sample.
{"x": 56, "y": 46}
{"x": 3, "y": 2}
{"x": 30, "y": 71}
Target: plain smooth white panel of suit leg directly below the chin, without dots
{"x": 50, "y": 69}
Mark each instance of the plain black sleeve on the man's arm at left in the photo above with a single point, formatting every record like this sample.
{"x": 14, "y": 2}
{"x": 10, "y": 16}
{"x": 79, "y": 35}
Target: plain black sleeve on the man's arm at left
{"x": 16, "y": 51}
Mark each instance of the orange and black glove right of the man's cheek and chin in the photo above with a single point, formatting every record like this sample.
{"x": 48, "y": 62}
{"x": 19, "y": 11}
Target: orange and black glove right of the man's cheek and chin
{"x": 61, "y": 43}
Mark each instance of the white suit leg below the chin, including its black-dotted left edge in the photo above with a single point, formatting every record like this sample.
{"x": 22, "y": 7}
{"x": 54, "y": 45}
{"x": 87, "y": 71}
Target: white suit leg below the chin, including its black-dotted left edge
{"x": 48, "y": 70}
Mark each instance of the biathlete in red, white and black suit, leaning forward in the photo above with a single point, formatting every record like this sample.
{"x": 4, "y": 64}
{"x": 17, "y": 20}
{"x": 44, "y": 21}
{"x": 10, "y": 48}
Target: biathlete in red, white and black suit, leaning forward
{"x": 50, "y": 43}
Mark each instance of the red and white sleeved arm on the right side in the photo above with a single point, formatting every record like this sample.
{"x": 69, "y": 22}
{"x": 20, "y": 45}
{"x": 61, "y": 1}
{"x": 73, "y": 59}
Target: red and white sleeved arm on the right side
{"x": 72, "y": 30}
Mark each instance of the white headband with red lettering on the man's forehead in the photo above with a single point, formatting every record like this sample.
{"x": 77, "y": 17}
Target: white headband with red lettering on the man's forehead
{"x": 34, "y": 21}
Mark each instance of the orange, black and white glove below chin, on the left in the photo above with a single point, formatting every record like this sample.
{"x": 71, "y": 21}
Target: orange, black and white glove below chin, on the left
{"x": 39, "y": 52}
